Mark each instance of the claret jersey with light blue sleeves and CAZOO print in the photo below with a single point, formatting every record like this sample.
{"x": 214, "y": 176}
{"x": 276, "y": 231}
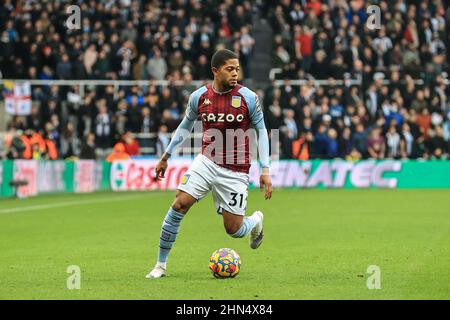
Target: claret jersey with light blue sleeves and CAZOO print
{"x": 222, "y": 113}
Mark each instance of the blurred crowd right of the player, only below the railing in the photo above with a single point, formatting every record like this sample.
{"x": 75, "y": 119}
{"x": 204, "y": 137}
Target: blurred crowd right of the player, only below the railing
{"x": 326, "y": 122}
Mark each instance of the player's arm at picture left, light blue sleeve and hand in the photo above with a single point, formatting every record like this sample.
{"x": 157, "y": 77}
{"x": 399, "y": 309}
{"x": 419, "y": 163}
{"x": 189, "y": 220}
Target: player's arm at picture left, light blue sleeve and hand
{"x": 181, "y": 134}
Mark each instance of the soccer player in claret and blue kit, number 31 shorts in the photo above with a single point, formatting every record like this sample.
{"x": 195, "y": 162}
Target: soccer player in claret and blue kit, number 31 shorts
{"x": 227, "y": 110}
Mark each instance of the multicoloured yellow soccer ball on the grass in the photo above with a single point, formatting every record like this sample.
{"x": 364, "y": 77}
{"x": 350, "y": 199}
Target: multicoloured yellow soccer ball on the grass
{"x": 225, "y": 263}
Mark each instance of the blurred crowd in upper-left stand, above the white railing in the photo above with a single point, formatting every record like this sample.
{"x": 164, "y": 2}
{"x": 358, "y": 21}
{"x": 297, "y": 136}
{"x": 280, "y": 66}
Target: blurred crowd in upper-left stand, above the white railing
{"x": 120, "y": 39}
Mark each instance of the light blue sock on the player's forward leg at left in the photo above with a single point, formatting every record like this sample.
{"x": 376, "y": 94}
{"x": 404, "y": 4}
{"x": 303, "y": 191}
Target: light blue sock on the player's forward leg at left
{"x": 169, "y": 231}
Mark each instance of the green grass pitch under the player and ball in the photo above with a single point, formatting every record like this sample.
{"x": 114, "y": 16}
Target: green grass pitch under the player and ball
{"x": 318, "y": 245}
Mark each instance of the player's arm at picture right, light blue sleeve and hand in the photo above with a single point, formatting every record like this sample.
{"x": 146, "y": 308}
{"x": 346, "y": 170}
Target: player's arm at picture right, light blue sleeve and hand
{"x": 257, "y": 119}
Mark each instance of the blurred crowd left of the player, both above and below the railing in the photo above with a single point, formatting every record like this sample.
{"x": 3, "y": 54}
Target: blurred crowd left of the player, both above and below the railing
{"x": 117, "y": 40}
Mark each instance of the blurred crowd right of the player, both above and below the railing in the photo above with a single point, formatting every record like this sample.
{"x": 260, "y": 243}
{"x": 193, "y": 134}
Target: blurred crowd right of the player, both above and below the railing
{"x": 388, "y": 115}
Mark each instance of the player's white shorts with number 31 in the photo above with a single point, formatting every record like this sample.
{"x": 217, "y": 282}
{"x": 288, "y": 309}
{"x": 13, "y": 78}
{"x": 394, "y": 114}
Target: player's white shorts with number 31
{"x": 229, "y": 188}
